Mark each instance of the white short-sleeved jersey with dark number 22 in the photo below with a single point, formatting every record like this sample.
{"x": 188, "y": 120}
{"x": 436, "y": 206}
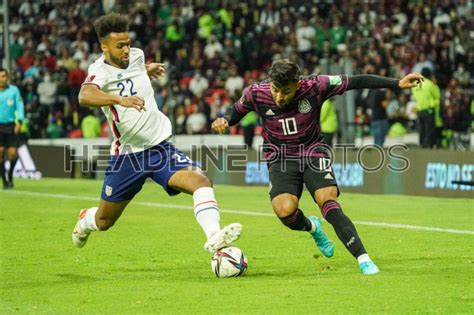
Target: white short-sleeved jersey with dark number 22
{"x": 133, "y": 131}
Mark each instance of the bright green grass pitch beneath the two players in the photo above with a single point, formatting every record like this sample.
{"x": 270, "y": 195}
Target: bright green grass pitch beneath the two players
{"x": 153, "y": 261}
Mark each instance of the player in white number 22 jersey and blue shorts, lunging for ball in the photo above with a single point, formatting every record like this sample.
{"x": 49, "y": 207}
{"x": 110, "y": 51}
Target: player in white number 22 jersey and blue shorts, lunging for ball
{"x": 119, "y": 83}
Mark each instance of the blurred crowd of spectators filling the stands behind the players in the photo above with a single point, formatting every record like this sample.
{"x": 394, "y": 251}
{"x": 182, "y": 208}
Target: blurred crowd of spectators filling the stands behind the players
{"x": 213, "y": 49}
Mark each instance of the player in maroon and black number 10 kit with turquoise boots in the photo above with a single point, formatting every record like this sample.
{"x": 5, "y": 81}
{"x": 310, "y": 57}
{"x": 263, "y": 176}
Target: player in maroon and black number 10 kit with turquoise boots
{"x": 290, "y": 106}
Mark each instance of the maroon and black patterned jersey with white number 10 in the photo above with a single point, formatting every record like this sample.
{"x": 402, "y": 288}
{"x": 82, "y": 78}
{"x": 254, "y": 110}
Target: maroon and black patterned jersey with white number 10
{"x": 293, "y": 130}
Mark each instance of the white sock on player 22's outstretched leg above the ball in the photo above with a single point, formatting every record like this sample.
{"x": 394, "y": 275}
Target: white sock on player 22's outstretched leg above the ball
{"x": 206, "y": 210}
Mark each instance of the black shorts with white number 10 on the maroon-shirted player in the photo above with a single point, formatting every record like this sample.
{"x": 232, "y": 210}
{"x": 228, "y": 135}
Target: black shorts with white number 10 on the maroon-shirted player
{"x": 288, "y": 176}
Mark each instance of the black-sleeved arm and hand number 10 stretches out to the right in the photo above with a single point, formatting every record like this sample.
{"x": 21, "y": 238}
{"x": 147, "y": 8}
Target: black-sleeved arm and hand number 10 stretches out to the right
{"x": 370, "y": 81}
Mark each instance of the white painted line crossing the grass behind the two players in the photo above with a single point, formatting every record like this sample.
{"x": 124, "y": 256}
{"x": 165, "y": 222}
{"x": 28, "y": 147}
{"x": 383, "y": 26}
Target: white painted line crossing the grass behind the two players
{"x": 242, "y": 212}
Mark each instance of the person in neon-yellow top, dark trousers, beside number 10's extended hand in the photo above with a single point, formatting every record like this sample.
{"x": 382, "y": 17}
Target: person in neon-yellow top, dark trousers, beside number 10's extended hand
{"x": 427, "y": 98}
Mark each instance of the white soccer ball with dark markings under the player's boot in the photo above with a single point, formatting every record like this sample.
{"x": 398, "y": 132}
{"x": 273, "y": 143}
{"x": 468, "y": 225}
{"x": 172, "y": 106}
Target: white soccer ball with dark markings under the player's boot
{"x": 229, "y": 262}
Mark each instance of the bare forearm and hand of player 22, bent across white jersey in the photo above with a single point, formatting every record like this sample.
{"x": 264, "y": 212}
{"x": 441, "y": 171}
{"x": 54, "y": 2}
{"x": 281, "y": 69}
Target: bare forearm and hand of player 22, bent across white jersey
{"x": 91, "y": 95}
